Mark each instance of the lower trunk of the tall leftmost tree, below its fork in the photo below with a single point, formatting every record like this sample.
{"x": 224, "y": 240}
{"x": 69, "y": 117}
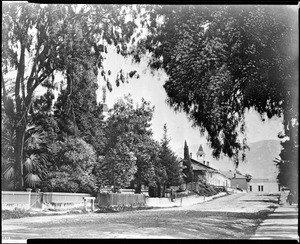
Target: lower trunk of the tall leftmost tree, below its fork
{"x": 19, "y": 149}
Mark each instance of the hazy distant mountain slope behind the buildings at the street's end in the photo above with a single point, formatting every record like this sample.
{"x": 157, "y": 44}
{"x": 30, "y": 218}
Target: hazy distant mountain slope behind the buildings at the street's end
{"x": 259, "y": 160}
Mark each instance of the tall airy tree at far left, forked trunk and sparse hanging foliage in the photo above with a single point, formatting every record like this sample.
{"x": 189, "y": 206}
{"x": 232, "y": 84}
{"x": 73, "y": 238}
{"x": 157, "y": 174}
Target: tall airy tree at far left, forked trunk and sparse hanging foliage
{"x": 40, "y": 40}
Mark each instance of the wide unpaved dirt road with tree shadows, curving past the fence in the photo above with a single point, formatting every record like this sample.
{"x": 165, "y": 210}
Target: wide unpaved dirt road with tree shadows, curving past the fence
{"x": 233, "y": 216}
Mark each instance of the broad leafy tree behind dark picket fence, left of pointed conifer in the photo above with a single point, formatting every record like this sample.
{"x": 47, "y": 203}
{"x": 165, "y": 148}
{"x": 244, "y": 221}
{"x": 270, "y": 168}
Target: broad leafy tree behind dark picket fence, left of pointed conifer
{"x": 127, "y": 135}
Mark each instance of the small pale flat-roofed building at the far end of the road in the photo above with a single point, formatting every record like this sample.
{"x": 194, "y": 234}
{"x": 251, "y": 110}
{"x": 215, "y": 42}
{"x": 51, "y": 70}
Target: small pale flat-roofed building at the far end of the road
{"x": 264, "y": 185}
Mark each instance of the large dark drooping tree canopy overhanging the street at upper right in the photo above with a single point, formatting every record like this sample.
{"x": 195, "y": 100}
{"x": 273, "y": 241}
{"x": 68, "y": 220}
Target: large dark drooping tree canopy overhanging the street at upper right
{"x": 221, "y": 61}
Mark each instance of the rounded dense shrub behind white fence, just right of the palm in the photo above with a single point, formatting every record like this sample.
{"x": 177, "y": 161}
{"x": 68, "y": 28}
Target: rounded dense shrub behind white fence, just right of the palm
{"x": 74, "y": 163}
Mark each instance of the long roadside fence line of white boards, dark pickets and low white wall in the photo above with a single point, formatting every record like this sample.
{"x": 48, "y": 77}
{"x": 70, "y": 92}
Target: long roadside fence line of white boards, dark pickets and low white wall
{"x": 63, "y": 200}
